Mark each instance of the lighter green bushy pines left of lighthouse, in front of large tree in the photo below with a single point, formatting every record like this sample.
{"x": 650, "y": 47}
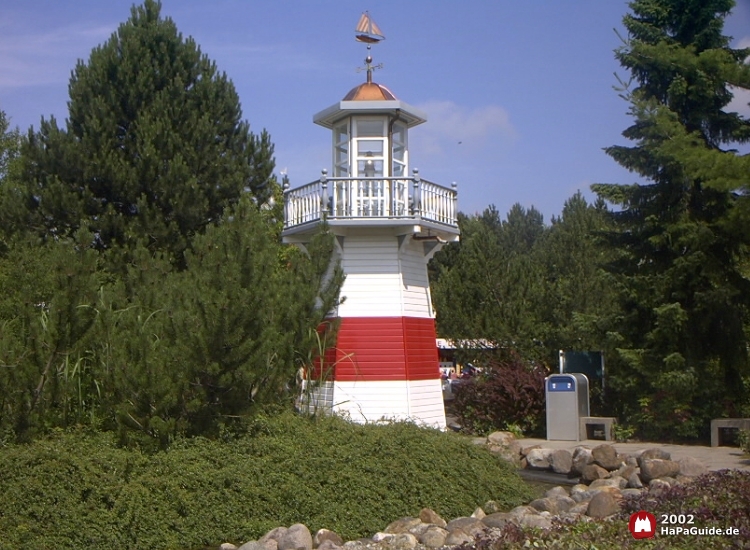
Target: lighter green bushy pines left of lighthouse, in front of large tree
{"x": 159, "y": 352}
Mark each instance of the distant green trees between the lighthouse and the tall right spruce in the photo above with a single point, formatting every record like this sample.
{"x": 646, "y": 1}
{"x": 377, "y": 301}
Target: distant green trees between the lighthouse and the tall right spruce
{"x": 527, "y": 287}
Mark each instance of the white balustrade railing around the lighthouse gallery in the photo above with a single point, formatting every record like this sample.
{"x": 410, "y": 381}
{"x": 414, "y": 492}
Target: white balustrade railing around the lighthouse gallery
{"x": 340, "y": 198}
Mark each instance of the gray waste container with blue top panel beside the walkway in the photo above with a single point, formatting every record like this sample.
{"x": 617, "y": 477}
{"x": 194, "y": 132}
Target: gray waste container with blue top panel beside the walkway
{"x": 567, "y": 401}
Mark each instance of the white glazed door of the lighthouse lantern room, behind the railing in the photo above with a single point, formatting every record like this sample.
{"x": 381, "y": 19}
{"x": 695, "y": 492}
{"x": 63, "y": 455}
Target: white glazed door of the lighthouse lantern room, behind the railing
{"x": 371, "y": 195}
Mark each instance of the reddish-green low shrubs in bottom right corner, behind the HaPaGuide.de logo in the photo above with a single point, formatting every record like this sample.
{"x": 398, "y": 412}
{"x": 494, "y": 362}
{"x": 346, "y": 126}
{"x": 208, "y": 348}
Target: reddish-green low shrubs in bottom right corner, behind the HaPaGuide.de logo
{"x": 716, "y": 499}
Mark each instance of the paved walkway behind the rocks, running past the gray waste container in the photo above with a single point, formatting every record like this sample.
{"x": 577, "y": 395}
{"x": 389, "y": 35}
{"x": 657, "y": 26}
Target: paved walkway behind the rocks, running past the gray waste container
{"x": 715, "y": 458}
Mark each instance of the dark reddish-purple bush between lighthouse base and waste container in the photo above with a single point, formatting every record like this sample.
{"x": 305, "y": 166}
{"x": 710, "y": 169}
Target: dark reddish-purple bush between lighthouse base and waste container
{"x": 506, "y": 395}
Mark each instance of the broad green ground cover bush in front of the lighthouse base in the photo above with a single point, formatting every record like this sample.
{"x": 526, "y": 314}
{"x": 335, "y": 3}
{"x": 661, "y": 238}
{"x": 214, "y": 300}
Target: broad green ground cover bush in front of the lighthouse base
{"x": 80, "y": 490}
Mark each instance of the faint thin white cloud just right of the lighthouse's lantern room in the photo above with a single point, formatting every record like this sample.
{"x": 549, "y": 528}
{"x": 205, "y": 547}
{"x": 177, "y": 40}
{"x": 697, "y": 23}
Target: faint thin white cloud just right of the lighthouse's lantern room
{"x": 450, "y": 124}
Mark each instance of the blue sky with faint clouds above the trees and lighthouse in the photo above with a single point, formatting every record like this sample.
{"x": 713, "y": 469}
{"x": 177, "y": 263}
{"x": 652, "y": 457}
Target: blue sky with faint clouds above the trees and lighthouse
{"x": 519, "y": 96}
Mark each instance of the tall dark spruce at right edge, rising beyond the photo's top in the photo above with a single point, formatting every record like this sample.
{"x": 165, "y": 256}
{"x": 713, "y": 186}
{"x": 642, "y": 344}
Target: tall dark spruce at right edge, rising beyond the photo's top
{"x": 682, "y": 350}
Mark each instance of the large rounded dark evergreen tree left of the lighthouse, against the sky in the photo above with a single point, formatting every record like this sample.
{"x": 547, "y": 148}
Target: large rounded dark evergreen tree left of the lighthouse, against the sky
{"x": 154, "y": 147}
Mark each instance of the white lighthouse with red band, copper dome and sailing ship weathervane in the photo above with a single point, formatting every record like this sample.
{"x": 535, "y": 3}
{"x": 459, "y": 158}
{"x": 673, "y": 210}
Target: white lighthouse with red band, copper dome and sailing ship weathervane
{"x": 388, "y": 222}
